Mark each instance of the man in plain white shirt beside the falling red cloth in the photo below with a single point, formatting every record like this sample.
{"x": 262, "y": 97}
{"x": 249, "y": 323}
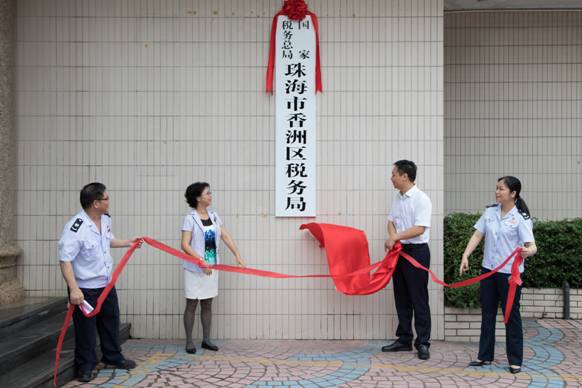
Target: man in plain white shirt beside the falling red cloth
{"x": 409, "y": 222}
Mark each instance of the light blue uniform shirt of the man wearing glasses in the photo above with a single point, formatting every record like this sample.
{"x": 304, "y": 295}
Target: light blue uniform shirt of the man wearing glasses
{"x": 88, "y": 250}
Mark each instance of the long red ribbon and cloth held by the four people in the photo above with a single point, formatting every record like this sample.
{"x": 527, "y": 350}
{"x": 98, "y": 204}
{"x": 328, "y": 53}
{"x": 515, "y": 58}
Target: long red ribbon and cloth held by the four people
{"x": 349, "y": 266}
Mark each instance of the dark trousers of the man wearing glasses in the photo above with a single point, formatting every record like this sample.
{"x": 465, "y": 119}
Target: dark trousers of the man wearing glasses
{"x": 106, "y": 324}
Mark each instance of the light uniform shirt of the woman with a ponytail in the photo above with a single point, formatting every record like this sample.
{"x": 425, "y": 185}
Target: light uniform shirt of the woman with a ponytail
{"x": 503, "y": 235}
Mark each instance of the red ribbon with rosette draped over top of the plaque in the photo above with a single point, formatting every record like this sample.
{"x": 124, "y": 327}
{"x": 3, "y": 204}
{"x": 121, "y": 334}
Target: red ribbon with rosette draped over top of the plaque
{"x": 294, "y": 10}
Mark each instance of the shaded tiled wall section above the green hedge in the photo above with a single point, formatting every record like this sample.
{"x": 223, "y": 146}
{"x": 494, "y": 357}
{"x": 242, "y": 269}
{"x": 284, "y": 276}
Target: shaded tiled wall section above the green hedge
{"x": 513, "y": 106}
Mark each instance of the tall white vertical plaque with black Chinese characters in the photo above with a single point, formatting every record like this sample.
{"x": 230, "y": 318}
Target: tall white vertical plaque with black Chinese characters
{"x": 295, "y": 118}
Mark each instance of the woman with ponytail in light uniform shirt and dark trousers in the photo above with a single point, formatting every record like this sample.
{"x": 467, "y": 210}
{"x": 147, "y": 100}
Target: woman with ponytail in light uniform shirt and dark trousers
{"x": 505, "y": 226}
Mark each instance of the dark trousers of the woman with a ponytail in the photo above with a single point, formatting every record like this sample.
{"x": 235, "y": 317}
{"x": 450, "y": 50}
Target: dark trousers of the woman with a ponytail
{"x": 494, "y": 290}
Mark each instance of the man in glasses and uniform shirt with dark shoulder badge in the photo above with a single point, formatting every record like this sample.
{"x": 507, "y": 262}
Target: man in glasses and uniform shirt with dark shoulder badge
{"x": 86, "y": 264}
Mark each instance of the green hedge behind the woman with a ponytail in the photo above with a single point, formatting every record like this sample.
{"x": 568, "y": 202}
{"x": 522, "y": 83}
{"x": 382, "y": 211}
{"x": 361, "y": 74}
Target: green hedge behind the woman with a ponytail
{"x": 559, "y": 257}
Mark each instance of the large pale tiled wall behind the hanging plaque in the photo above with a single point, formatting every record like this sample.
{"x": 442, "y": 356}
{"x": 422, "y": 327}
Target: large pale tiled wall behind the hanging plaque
{"x": 149, "y": 96}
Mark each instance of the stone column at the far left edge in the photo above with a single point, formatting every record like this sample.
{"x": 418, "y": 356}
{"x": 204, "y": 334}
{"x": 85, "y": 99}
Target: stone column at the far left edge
{"x": 10, "y": 288}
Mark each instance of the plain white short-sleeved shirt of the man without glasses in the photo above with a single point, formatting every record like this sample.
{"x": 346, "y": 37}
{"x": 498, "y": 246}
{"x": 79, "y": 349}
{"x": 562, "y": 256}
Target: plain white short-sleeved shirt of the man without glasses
{"x": 414, "y": 208}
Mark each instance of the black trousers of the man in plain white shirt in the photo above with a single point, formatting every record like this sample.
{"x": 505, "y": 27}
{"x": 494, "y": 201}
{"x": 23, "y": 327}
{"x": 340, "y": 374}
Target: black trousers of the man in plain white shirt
{"x": 411, "y": 296}
